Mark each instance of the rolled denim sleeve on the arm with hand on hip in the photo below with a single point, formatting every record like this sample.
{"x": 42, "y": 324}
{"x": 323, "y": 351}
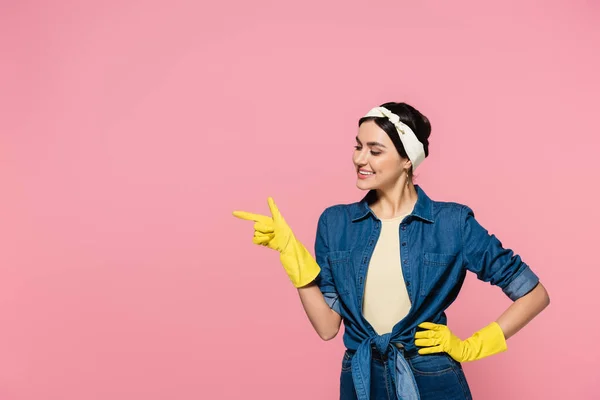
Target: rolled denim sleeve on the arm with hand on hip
{"x": 491, "y": 262}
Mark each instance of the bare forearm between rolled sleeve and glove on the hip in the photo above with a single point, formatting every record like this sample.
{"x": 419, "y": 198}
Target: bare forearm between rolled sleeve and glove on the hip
{"x": 523, "y": 310}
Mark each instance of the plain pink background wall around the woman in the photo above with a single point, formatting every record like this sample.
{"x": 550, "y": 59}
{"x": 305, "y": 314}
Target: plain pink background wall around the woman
{"x": 129, "y": 131}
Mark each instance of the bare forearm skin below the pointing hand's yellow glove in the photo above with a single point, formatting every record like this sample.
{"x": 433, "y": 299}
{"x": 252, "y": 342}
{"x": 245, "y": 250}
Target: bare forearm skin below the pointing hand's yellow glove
{"x": 325, "y": 321}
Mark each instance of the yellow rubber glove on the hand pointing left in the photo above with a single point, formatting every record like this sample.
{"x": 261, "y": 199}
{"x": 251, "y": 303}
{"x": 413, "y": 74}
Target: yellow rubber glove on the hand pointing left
{"x": 275, "y": 233}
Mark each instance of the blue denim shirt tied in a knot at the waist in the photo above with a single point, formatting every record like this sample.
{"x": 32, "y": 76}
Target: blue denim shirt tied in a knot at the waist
{"x": 439, "y": 243}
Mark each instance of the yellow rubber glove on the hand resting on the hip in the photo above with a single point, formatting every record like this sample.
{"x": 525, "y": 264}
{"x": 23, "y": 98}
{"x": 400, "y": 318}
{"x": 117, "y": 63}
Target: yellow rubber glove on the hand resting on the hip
{"x": 438, "y": 338}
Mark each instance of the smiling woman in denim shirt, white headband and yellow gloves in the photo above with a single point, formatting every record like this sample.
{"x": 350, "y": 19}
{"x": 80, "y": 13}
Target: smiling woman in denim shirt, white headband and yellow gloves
{"x": 391, "y": 264}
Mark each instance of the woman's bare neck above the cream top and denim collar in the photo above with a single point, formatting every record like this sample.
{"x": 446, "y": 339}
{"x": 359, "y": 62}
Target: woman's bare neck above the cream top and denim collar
{"x": 395, "y": 202}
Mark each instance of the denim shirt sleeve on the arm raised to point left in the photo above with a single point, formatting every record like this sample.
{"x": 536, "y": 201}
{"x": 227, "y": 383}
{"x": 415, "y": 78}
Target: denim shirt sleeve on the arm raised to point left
{"x": 325, "y": 279}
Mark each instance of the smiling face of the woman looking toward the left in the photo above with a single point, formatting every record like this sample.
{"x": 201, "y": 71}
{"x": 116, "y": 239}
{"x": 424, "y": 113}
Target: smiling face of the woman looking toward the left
{"x": 378, "y": 164}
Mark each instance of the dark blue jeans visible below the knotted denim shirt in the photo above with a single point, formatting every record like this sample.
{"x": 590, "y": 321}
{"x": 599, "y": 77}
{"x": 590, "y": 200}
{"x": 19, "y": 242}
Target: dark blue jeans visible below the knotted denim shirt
{"x": 438, "y": 377}
